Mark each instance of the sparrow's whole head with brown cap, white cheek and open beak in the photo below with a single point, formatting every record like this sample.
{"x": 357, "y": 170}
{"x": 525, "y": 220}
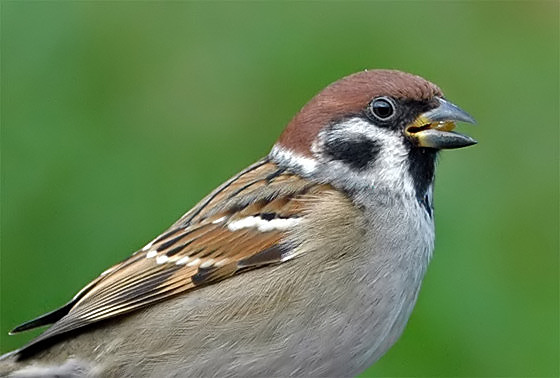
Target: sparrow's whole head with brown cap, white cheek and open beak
{"x": 378, "y": 127}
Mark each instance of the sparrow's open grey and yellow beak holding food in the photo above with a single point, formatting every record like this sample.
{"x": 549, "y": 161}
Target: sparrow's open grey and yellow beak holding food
{"x": 432, "y": 129}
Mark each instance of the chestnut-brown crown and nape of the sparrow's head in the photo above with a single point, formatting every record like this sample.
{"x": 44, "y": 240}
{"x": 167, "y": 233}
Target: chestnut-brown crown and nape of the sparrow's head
{"x": 350, "y": 95}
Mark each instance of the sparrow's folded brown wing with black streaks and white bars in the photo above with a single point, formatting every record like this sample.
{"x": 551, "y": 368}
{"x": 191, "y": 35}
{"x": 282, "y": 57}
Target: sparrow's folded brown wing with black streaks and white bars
{"x": 241, "y": 225}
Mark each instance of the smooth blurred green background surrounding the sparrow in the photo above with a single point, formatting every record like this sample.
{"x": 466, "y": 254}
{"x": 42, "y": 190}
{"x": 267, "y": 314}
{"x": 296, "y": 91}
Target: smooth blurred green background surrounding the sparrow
{"x": 119, "y": 116}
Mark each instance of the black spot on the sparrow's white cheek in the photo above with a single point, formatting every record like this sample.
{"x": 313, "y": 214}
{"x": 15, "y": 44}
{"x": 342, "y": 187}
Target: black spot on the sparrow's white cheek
{"x": 357, "y": 153}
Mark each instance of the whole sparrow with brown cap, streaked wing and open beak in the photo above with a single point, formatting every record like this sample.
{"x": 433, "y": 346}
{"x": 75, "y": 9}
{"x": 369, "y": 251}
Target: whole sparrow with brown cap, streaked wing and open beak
{"x": 306, "y": 263}
